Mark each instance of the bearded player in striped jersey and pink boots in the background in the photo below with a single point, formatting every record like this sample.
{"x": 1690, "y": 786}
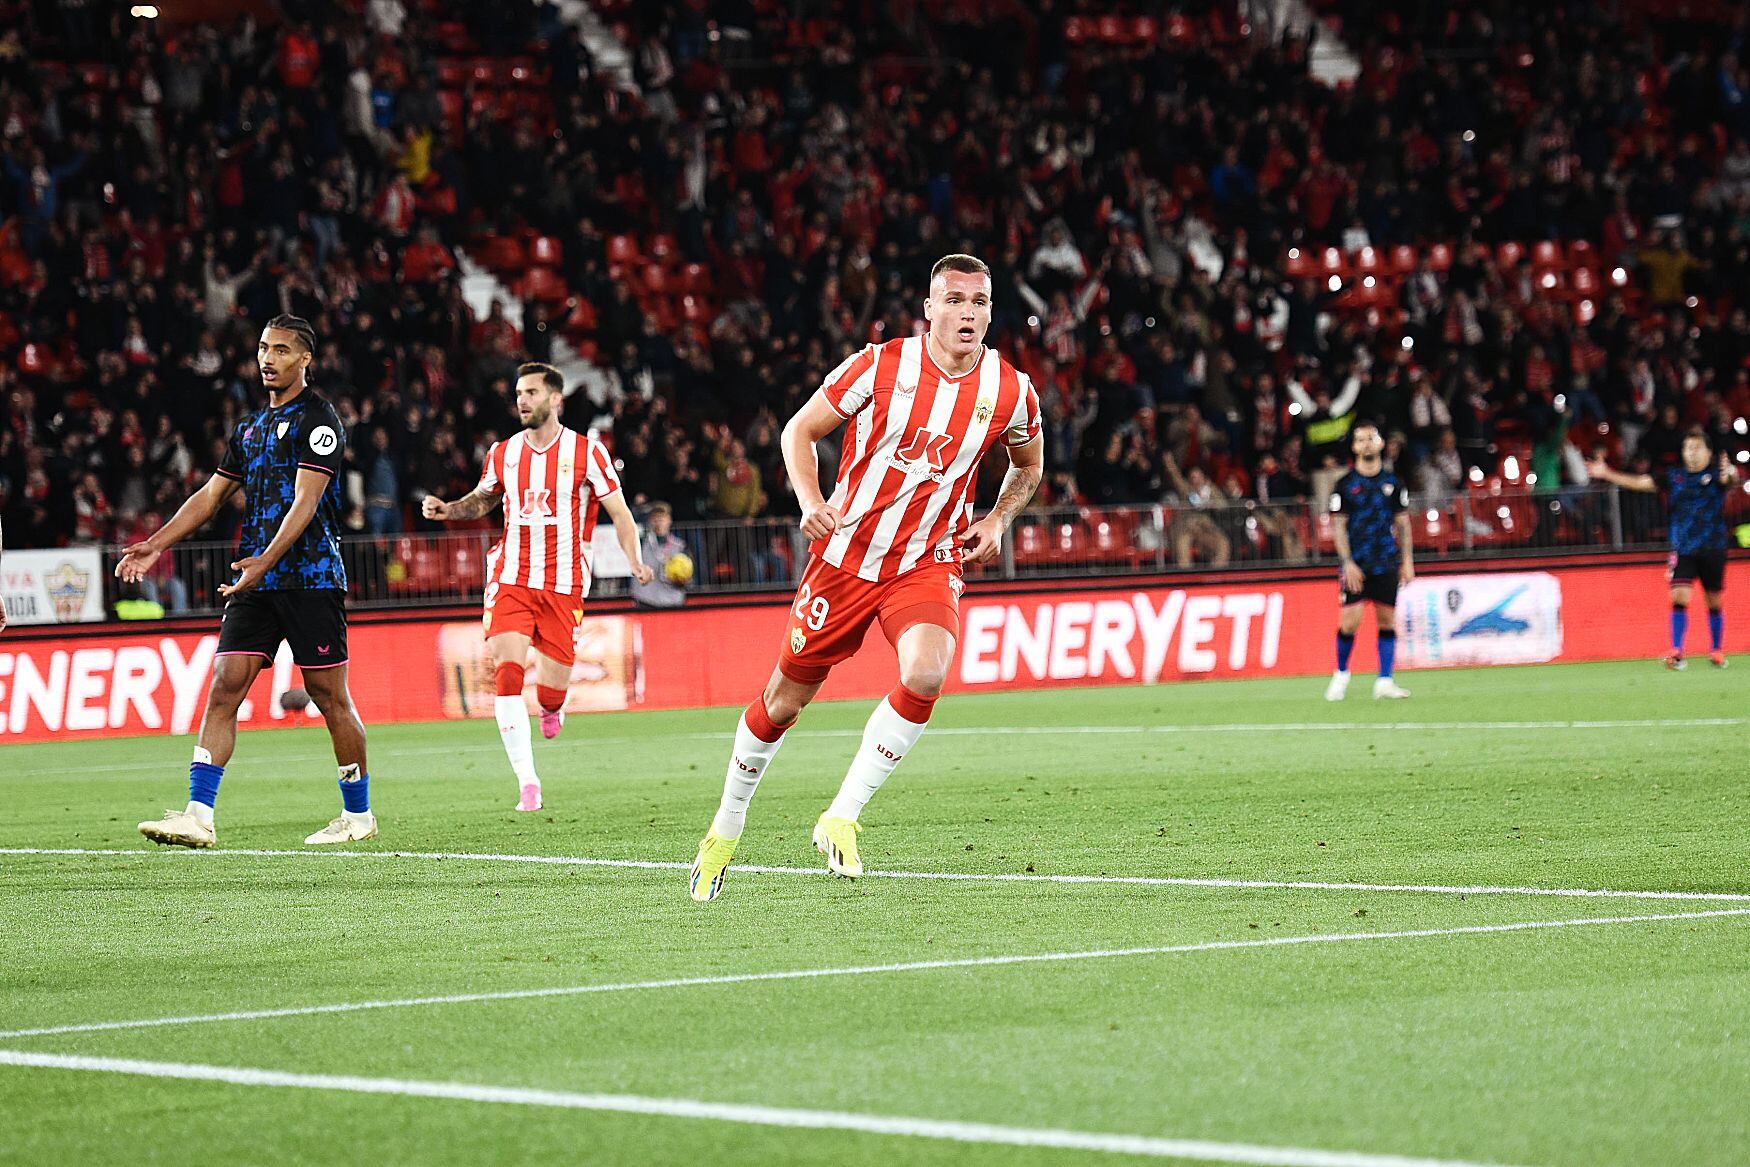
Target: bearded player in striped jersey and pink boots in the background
{"x": 552, "y": 480}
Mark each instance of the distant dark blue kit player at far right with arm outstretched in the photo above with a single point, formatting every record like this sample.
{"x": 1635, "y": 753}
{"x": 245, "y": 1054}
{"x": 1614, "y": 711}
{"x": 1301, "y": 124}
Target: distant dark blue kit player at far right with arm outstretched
{"x": 1697, "y": 501}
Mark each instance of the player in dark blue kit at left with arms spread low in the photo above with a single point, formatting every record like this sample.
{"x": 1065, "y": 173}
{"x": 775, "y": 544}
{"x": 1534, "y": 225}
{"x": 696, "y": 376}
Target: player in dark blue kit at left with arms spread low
{"x": 291, "y": 583}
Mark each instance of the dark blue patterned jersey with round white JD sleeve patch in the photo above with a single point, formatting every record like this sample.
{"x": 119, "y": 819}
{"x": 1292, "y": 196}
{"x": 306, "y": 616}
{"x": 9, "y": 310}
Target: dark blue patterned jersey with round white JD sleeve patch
{"x": 267, "y": 452}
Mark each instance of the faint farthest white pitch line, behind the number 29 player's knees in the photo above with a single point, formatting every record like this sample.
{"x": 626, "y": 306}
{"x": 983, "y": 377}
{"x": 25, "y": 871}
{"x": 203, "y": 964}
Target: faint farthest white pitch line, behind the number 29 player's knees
{"x": 1252, "y": 727}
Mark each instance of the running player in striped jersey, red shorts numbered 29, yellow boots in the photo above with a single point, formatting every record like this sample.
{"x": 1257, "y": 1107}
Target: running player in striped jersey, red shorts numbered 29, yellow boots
{"x": 920, "y": 416}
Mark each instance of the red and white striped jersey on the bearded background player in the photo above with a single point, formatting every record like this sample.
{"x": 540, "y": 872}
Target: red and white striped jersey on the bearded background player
{"x": 550, "y": 507}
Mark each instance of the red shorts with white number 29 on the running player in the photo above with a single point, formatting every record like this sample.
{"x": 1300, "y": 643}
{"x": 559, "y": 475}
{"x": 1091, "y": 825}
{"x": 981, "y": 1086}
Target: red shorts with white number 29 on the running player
{"x": 834, "y": 611}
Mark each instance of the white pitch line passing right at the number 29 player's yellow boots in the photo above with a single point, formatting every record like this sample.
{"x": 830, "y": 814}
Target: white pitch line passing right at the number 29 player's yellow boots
{"x": 953, "y": 877}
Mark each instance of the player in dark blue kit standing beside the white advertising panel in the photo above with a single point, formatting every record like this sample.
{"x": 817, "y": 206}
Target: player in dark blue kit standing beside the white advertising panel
{"x": 1371, "y": 528}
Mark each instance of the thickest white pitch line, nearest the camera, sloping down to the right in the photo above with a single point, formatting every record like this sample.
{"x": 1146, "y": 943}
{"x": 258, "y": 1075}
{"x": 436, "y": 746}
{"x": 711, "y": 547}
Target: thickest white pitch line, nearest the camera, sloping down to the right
{"x": 988, "y": 1135}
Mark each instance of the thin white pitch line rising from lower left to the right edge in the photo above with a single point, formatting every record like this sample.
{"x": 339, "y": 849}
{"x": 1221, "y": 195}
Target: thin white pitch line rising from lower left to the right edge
{"x": 862, "y": 970}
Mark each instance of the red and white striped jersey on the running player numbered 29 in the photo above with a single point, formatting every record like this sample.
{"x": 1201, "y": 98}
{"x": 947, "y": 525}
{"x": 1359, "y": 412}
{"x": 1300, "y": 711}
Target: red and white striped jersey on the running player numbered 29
{"x": 913, "y": 451}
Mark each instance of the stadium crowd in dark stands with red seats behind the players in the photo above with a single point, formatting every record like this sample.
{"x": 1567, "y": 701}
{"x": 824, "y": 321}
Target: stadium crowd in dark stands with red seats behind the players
{"x": 1156, "y": 192}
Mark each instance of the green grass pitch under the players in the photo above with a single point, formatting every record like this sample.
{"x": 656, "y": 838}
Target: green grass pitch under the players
{"x": 1602, "y": 1044}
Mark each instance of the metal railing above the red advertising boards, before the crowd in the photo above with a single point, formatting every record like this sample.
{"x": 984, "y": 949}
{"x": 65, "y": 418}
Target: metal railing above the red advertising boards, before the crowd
{"x": 767, "y": 556}
